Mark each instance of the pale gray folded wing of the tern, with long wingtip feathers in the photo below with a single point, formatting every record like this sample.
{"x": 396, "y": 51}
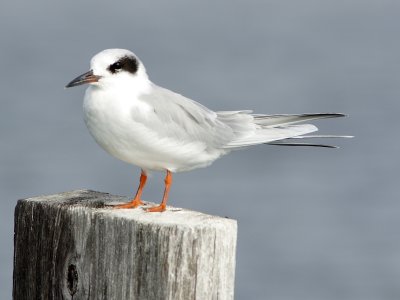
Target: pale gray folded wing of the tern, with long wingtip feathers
{"x": 181, "y": 119}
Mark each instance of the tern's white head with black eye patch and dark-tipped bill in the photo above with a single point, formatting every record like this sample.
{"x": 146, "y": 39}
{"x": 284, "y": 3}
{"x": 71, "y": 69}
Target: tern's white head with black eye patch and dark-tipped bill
{"x": 112, "y": 67}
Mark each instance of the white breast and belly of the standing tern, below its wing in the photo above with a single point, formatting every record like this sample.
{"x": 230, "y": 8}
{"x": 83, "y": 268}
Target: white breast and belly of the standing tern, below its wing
{"x": 109, "y": 120}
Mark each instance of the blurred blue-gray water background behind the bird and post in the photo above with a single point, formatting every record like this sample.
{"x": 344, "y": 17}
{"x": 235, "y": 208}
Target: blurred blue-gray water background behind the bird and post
{"x": 313, "y": 223}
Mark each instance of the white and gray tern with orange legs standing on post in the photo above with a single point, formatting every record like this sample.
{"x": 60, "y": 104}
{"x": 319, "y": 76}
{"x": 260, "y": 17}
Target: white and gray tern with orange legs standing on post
{"x": 156, "y": 129}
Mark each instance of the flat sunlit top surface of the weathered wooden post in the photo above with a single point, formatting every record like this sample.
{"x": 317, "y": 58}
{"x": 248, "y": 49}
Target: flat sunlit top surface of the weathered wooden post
{"x": 97, "y": 202}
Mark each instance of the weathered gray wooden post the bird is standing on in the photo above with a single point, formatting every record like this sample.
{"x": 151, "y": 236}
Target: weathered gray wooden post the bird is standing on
{"x": 72, "y": 246}
